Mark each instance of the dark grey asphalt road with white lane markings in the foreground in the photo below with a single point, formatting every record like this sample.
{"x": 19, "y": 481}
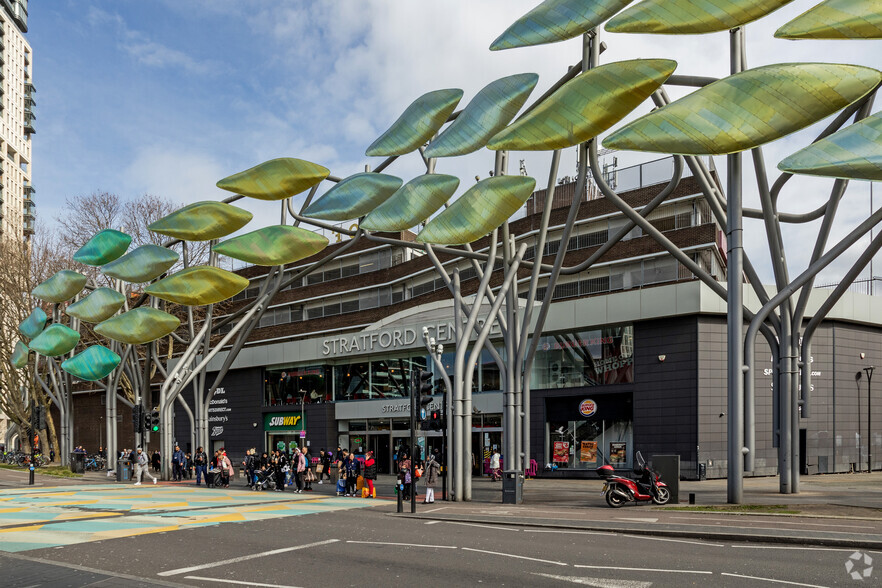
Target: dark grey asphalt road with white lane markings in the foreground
{"x": 371, "y": 547}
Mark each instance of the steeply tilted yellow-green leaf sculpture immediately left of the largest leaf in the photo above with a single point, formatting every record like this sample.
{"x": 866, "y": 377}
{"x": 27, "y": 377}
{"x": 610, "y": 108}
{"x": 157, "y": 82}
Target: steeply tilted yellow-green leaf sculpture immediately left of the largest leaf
{"x": 585, "y": 106}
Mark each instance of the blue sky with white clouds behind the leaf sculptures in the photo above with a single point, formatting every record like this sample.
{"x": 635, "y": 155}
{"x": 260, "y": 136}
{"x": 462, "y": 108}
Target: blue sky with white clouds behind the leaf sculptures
{"x": 166, "y": 97}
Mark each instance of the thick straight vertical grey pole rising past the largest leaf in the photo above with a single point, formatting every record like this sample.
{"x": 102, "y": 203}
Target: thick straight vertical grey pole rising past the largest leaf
{"x": 735, "y": 321}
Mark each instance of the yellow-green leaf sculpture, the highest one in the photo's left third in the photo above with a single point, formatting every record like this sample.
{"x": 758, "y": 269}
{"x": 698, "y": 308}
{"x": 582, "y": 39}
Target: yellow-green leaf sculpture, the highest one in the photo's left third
{"x": 275, "y": 179}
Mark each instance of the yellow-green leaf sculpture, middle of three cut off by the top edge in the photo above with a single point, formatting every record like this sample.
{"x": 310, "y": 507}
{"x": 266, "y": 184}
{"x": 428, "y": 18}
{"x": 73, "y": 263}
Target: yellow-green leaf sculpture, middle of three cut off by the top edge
{"x": 690, "y": 17}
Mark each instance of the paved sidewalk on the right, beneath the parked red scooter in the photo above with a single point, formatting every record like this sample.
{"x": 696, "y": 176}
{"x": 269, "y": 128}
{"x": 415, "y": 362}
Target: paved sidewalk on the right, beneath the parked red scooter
{"x": 841, "y": 510}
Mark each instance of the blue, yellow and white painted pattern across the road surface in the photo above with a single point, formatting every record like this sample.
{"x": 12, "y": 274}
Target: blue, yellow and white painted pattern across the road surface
{"x": 52, "y": 517}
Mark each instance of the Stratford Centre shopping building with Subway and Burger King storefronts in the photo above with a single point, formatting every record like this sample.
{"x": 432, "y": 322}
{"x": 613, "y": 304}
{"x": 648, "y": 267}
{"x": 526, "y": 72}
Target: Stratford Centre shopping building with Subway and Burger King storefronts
{"x": 632, "y": 355}
